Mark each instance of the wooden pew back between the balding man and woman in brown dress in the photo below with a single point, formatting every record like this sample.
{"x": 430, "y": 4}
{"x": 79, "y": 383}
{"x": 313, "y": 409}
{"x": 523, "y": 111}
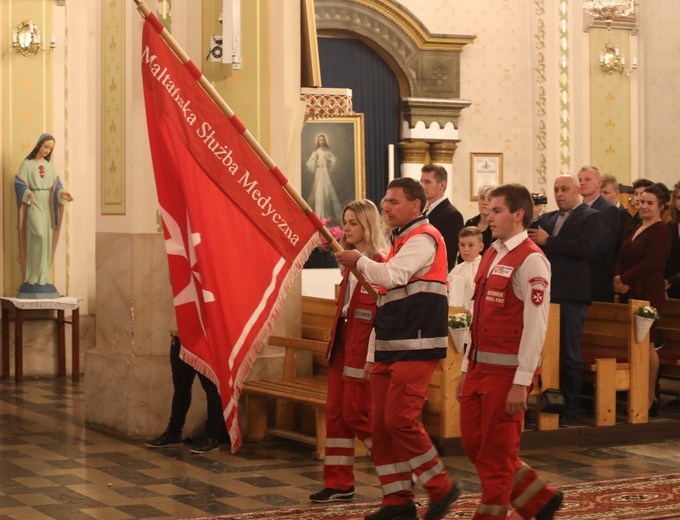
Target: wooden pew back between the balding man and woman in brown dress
{"x": 609, "y": 331}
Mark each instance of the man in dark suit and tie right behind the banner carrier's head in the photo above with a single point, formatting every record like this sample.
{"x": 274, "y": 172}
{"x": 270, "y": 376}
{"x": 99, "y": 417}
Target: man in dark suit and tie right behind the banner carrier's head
{"x": 440, "y": 212}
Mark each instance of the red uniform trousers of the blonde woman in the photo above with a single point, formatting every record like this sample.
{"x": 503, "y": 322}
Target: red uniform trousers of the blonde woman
{"x": 348, "y": 407}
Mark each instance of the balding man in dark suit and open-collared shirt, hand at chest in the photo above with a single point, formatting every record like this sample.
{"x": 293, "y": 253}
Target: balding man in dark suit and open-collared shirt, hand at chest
{"x": 569, "y": 237}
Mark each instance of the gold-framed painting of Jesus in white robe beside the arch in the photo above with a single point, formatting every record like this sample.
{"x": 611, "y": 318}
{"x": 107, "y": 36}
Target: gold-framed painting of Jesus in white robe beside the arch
{"x": 333, "y": 175}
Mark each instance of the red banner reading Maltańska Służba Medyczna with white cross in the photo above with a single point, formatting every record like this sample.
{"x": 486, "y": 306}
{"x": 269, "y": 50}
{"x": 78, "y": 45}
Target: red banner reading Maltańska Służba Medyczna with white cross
{"x": 235, "y": 239}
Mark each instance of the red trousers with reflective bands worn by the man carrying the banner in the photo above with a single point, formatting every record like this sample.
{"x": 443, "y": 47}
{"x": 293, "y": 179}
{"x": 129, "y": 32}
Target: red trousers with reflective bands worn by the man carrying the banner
{"x": 400, "y": 443}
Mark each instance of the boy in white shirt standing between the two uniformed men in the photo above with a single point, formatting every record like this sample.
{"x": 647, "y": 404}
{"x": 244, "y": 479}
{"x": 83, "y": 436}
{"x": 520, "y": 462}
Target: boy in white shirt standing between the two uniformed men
{"x": 462, "y": 277}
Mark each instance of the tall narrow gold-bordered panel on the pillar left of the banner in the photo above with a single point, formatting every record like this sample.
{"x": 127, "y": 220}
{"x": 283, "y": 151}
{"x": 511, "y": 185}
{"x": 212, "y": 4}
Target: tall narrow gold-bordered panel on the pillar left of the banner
{"x": 113, "y": 108}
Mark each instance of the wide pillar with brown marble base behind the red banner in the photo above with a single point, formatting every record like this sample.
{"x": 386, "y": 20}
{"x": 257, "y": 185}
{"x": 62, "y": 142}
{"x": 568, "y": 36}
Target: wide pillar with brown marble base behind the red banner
{"x": 127, "y": 380}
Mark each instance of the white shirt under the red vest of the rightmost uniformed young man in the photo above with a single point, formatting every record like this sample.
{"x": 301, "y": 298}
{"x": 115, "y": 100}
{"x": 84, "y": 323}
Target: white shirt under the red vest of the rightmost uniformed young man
{"x": 532, "y": 274}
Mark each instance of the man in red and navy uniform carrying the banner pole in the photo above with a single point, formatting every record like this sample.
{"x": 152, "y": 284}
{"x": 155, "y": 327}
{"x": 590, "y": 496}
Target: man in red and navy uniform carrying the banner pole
{"x": 411, "y": 337}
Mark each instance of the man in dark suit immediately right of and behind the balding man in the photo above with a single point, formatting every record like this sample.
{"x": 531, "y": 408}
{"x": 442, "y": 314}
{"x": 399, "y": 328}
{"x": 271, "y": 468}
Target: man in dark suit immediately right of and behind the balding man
{"x": 602, "y": 261}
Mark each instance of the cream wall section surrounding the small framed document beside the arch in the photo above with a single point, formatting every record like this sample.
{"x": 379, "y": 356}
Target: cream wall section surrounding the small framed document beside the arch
{"x": 496, "y": 76}
